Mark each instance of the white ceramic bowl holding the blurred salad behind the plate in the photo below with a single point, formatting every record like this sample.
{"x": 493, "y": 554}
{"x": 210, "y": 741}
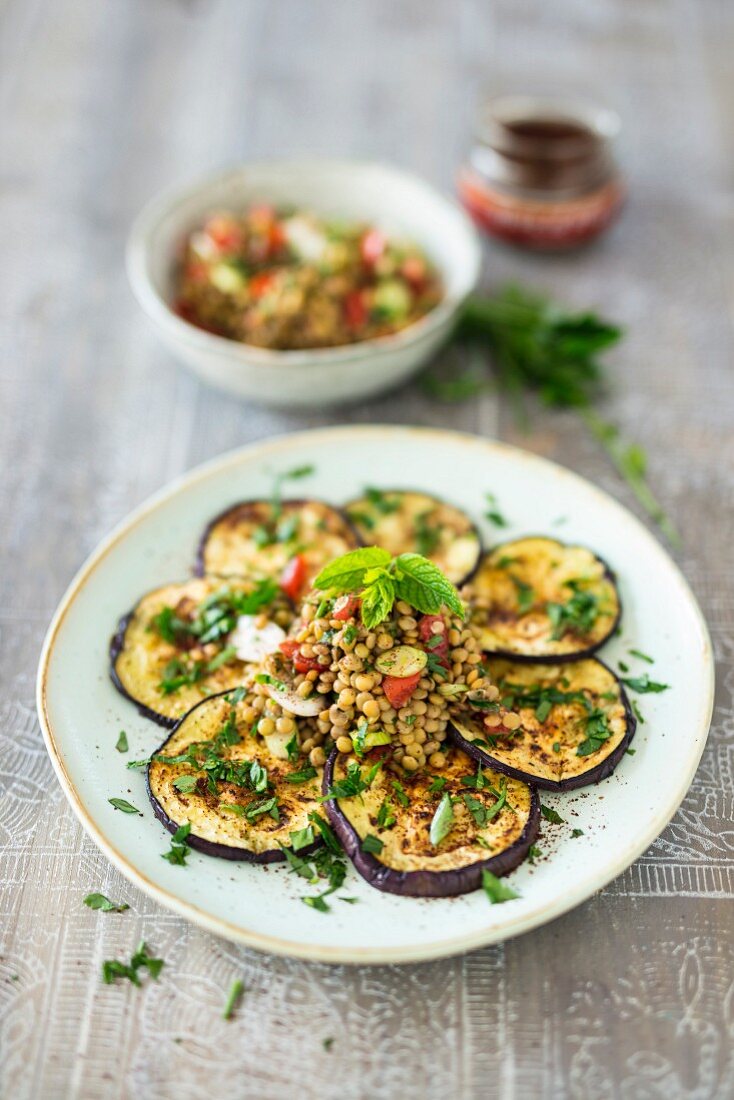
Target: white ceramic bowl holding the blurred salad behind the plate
{"x": 399, "y": 203}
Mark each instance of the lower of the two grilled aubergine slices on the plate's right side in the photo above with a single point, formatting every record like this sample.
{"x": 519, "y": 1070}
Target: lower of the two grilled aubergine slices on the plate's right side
{"x": 576, "y": 724}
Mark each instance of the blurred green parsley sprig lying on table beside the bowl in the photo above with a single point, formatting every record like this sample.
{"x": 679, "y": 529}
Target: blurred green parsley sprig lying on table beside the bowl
{"x": 538, "y": 347}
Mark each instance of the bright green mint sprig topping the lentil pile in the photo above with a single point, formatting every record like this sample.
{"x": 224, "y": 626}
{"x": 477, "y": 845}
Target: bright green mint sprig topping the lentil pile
{"x": 382, "y": 580}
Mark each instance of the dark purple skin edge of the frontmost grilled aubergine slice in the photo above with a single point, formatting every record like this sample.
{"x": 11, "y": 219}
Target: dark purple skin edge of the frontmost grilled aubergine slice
{"x": 426, "y": 884}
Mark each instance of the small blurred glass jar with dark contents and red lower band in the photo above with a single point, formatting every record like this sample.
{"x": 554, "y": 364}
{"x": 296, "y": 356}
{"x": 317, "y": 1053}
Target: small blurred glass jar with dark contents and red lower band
{"x": 542, "y": 173}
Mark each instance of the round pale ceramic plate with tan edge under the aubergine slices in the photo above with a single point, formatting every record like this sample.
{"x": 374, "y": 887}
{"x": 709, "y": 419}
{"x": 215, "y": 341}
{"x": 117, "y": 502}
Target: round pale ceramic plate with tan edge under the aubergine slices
{"x": 82, "y": 714}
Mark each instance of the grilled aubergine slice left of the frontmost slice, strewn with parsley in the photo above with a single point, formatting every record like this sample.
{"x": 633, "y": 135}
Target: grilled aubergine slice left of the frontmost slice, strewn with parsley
{"x": 234, "y": 812}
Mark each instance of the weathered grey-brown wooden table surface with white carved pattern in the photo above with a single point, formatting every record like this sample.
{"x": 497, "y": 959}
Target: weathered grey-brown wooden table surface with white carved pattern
{"x": 631, "y": 995}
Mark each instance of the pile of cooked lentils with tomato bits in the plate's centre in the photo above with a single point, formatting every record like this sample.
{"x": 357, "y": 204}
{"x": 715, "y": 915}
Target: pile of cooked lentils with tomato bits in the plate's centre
{"x": 333, "y": 655}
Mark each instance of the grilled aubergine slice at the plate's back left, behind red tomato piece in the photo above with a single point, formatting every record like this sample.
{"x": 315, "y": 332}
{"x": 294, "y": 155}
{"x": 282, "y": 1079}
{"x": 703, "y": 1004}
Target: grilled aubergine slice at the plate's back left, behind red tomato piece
{"x": 265, "y": 537}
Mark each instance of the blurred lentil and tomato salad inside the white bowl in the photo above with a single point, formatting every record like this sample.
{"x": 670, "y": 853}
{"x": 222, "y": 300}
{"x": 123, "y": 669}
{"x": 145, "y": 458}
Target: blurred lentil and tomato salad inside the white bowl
{"x": 289, "y": 280}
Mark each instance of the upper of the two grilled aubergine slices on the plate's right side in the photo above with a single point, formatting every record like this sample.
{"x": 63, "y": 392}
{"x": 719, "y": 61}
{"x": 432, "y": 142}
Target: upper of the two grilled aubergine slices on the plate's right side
{"x": 540, "y": 600}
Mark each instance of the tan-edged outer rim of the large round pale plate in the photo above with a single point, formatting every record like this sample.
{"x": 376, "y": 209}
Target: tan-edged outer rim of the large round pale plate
{"x": 443, "y": 949}
